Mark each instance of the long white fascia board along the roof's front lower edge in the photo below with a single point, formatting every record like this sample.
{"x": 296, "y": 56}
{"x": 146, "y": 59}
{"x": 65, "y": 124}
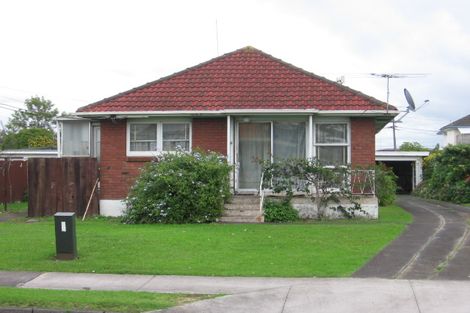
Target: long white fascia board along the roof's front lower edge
{"x": 142, "y": 114}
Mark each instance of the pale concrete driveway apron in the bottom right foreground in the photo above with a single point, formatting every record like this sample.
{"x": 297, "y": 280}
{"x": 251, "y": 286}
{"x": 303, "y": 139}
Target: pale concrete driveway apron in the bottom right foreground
{"x": 345, "y": 295}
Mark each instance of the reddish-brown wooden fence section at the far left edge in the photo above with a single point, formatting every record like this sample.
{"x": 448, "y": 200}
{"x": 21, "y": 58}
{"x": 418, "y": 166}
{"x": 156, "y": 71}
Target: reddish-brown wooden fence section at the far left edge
{"x": 13, "y": 180}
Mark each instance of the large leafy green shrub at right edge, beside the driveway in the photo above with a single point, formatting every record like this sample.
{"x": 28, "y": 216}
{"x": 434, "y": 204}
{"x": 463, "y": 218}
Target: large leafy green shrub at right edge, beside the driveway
{"x": 448, "y": 175}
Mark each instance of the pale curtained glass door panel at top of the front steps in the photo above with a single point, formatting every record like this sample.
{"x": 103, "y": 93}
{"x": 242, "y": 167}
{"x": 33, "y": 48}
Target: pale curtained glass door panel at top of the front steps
{"x": 254, "y": 145}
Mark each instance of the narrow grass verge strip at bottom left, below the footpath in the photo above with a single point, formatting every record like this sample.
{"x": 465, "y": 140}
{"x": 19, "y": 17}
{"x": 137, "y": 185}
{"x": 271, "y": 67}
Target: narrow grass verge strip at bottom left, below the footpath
{"x": 114, "y": 301}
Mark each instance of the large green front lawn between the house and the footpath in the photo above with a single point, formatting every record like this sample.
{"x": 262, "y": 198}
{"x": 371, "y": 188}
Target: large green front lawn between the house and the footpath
{"x": 332, "y": 248}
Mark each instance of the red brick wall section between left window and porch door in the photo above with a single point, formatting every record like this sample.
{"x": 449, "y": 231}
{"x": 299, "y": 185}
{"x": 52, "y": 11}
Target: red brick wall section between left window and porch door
{"x": 210, "y": 134}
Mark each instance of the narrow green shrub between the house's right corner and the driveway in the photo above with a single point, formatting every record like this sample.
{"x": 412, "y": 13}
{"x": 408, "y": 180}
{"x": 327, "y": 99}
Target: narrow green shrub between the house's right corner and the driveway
{"x": 385, "y": 184}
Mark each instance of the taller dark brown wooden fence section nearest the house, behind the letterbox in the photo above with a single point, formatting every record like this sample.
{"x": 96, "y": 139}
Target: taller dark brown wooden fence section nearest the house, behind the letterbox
{"x": 62, "y": 185}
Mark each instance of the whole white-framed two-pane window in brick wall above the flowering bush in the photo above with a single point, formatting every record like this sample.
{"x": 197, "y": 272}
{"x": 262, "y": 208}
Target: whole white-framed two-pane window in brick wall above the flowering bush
{"x": 146, "y": 139}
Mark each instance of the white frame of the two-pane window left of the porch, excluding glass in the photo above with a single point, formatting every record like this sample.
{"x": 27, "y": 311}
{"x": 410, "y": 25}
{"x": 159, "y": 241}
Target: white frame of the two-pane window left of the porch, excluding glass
{"x": 159, "y": 145}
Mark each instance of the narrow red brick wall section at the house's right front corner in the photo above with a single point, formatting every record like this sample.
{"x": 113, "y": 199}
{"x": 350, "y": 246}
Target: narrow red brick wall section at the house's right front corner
{"x": 362, "y": 141}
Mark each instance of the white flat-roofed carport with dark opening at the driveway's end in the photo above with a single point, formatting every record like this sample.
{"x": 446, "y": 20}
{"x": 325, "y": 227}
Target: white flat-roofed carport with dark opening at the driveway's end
{"x": 407, "y": 165}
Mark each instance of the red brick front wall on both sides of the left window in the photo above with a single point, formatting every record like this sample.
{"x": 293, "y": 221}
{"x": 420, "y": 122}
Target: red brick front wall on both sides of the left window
{"x": 118, "y": 172}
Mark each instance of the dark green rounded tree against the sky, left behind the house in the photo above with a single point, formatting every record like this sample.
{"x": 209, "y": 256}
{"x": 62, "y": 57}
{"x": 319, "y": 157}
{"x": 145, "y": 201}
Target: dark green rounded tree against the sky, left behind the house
{"x": 39, "y": 113}
